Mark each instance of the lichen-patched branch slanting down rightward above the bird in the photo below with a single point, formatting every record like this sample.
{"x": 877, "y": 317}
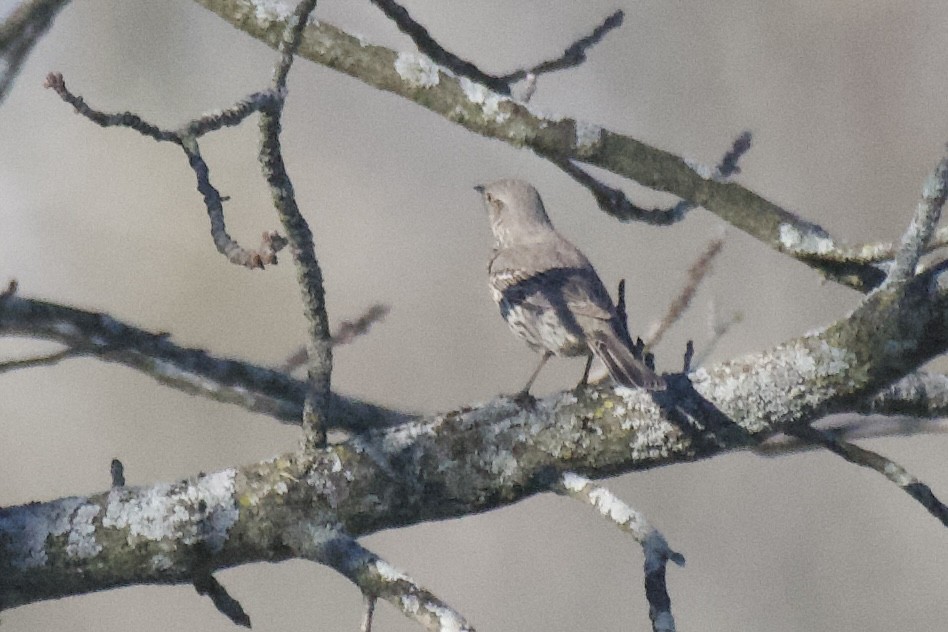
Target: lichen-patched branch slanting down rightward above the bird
{"x": 488, "y": 113}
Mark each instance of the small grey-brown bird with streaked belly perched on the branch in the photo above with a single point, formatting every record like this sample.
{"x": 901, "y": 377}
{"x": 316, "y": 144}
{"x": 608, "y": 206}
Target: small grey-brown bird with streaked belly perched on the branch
{"x": 548, "y": 291}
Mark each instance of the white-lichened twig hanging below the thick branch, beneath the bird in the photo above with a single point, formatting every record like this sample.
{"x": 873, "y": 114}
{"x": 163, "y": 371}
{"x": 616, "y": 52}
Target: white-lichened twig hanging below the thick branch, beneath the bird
{"x": 656, "y": 549}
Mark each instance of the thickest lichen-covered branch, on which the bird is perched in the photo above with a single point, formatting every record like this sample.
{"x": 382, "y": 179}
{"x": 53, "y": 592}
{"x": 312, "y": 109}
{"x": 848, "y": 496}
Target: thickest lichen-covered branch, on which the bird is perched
{"x": 465, "y": 461}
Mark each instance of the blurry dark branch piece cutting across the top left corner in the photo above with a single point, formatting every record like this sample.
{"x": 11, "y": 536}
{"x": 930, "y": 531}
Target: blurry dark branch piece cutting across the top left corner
{"x": 19, "y": 33}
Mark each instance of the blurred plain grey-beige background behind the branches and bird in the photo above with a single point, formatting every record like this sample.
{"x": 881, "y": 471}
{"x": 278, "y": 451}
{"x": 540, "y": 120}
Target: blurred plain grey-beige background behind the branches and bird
{"x": 847, "y": 101}
